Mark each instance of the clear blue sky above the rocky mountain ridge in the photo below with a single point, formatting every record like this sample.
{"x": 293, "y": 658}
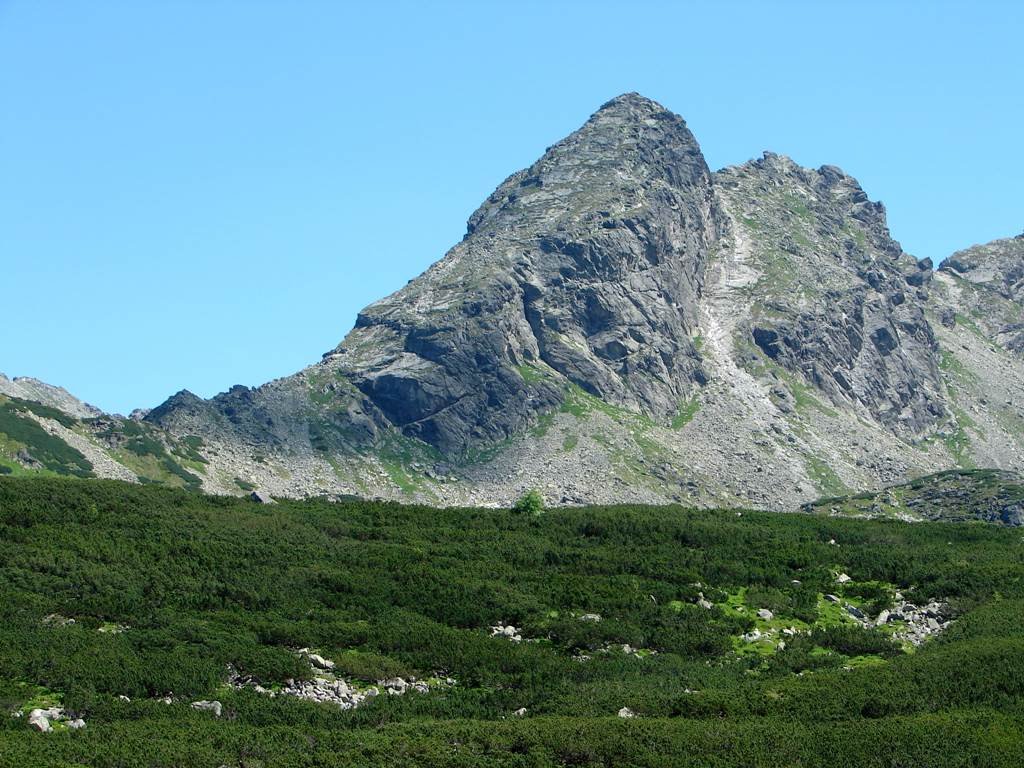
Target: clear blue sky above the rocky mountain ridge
{"x": 195, "y": 195}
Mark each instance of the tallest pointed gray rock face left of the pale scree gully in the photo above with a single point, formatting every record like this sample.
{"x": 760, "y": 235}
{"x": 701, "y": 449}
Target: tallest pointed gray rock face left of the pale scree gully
{"x": 584, "y": 268}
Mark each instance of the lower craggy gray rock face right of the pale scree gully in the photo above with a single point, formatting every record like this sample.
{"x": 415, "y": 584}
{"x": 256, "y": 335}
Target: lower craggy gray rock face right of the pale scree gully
{"x": 838, "y": 303}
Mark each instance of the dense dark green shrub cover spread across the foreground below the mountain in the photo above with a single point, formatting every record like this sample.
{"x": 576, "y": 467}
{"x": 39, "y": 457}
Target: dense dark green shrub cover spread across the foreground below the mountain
{"x": 201, "y": 583}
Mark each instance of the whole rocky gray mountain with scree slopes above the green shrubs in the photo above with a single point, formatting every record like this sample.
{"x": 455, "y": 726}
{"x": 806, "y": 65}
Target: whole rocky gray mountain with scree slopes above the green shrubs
{"x": 622, "y": 324}
